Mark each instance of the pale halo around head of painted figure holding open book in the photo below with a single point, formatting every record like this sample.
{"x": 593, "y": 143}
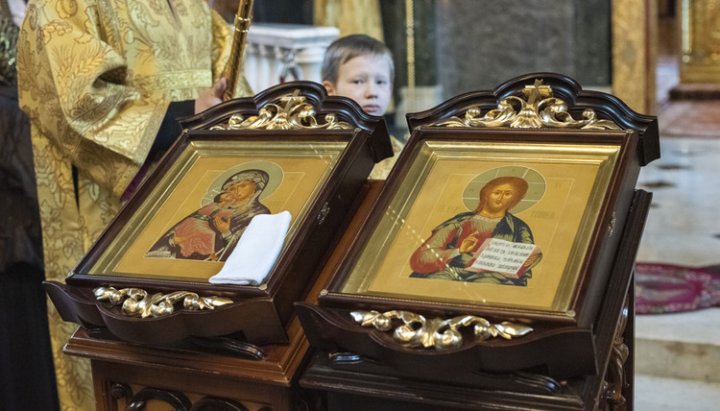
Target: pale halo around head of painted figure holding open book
{"x": 536, "y": 186}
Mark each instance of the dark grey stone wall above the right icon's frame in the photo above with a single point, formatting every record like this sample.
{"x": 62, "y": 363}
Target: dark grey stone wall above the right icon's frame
{"x": 481, "y": 43}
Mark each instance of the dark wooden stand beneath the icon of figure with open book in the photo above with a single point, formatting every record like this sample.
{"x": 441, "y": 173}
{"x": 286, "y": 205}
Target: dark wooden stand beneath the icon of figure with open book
{"x": 350, "y": 382}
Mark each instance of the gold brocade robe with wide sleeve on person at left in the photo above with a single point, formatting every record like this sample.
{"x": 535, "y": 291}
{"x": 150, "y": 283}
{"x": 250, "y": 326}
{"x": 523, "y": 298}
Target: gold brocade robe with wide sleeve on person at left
{"x": 96, "y": 77}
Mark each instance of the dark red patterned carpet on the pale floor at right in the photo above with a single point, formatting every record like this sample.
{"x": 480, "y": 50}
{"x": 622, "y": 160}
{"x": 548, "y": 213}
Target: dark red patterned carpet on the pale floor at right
{"x": 666, "y": 288}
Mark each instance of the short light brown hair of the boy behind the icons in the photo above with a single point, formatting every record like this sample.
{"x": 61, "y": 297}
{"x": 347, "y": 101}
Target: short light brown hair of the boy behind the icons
{"x": 346, "y": 48}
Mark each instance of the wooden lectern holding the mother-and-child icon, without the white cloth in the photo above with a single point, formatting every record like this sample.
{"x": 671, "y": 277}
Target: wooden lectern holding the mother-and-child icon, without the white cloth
{"x": 153, "y": 325}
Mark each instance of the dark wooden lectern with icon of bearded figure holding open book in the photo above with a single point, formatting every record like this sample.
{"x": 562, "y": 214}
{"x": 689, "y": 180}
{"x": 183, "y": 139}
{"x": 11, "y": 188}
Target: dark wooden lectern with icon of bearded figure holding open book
{"x": 494, "y": 270}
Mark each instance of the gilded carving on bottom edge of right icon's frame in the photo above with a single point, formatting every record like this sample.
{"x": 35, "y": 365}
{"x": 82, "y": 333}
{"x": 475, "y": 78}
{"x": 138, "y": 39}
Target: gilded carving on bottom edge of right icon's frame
{"x": 416, "y": 331}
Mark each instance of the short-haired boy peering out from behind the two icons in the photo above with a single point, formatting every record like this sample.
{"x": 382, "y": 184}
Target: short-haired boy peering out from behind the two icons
{"x": 361, "y": 68}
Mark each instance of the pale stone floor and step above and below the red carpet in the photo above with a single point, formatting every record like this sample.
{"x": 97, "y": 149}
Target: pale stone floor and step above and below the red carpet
{"x": 678, "y": 355}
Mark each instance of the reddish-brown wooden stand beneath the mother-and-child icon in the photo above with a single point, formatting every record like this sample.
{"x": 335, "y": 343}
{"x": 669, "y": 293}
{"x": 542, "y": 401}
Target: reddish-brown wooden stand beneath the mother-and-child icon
{"x": 187, "y": 377}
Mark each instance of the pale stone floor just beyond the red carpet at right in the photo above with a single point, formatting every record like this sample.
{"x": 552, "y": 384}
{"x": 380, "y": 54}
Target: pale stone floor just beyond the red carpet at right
{"x": 682, "y": 226}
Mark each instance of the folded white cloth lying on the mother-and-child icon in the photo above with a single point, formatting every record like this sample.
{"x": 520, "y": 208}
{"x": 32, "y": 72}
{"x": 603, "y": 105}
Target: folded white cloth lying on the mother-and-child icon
{"x": 256, "y": 252}
